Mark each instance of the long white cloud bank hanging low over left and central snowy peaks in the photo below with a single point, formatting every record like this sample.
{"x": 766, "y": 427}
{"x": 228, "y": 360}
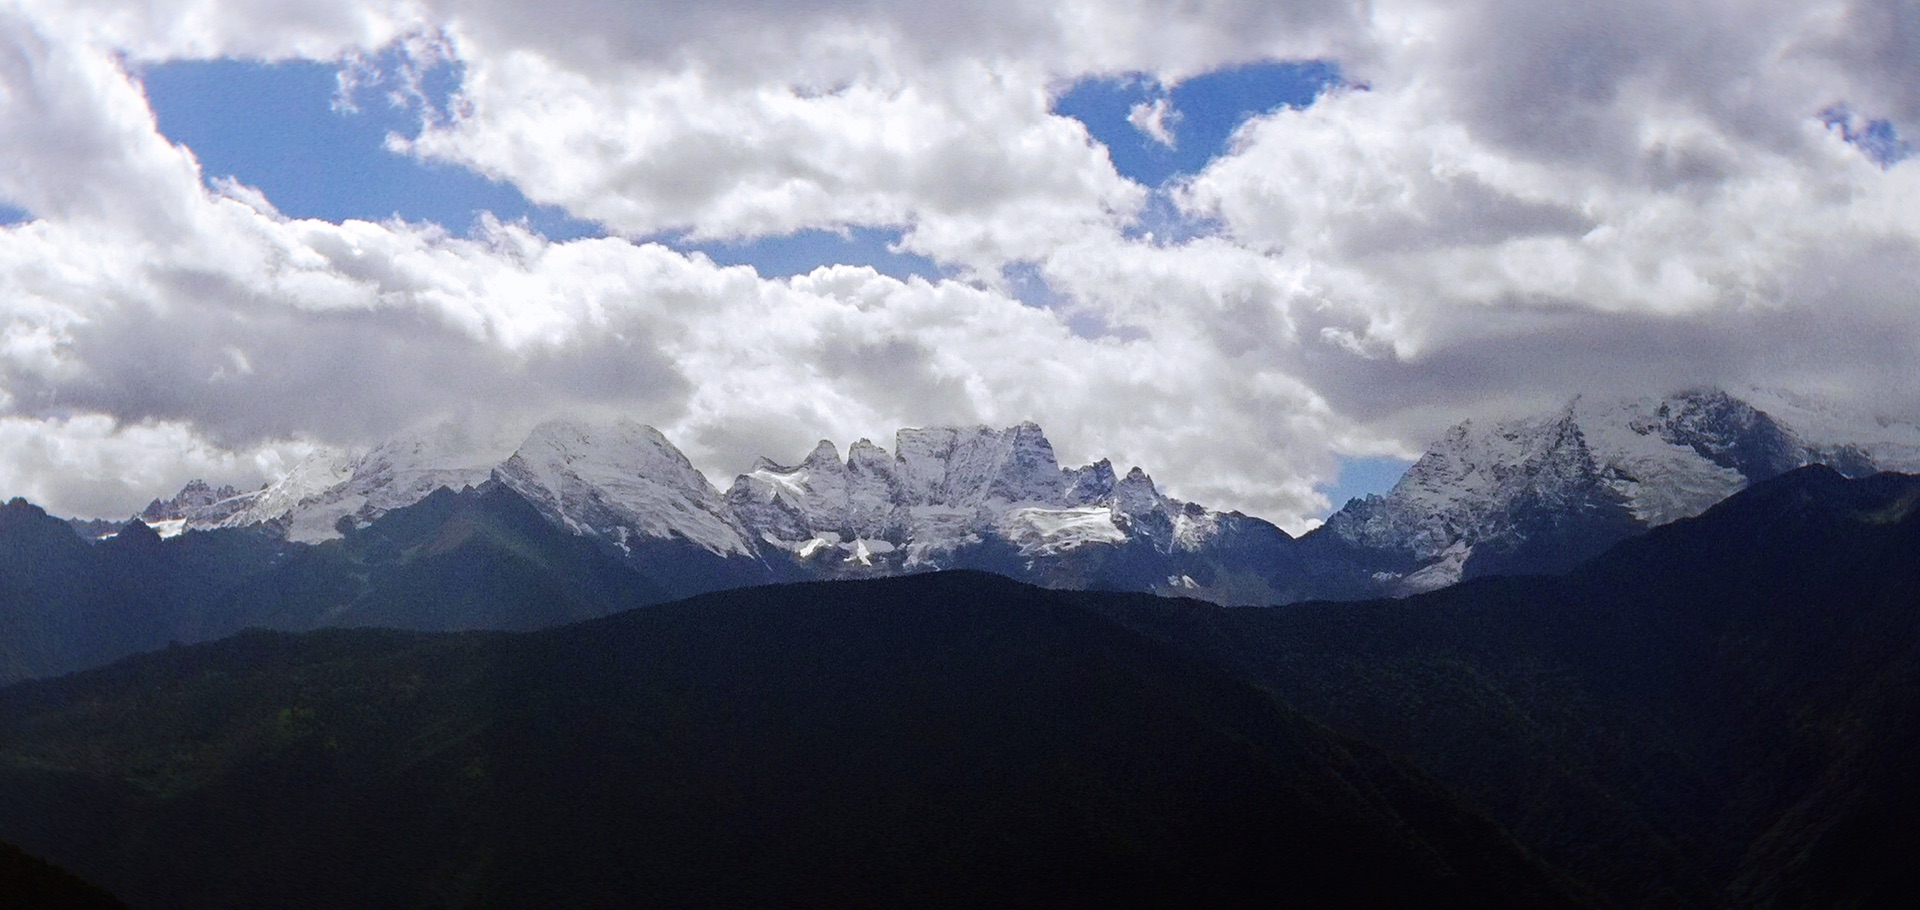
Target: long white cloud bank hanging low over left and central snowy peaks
{"x": 241, "y": 329}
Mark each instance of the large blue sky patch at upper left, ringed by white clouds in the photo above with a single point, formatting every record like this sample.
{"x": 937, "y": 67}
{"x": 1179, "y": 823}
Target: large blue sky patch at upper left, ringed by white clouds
{"x": 276, "y": 128}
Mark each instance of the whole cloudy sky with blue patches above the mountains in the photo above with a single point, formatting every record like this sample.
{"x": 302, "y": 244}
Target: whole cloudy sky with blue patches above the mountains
{"x": 1262, "y": 249}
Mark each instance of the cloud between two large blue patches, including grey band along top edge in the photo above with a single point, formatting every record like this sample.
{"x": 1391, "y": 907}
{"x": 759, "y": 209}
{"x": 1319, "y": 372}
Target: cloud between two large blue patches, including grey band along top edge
{"x": 746, "y": 118}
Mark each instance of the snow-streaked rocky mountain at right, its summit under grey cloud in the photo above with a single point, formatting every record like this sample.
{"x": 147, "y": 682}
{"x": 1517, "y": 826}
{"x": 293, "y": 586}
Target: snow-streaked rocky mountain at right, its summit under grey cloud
{"x": 1550, "y": 491}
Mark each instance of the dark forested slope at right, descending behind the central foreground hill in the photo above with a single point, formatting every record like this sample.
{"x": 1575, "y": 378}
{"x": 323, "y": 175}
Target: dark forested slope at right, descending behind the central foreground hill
{"x": 1719, "y": 713}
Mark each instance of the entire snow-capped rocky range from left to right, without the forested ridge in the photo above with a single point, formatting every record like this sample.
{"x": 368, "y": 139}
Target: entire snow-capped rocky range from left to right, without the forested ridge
{"x": 1514, "y": 496}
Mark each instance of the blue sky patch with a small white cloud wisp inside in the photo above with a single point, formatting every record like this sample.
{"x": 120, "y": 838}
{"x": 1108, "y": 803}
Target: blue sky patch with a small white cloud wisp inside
{"x": 1199, "y": 116}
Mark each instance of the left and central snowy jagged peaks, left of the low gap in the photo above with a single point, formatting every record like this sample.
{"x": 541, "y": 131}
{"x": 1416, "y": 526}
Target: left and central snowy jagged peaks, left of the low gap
{"x": 944, "y": 498}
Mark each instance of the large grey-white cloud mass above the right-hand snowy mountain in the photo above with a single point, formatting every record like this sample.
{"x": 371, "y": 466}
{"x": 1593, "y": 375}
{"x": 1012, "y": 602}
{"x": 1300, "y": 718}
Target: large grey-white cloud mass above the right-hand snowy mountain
{"x": 1579, "y": 201}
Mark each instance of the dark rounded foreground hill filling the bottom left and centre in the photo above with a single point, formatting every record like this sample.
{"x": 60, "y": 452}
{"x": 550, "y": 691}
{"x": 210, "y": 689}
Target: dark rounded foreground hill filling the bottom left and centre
{"x": 940, "y": 740}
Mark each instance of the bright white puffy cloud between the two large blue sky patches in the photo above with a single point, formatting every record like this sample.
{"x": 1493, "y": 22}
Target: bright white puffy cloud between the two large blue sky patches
{"x": 972, "y": 164}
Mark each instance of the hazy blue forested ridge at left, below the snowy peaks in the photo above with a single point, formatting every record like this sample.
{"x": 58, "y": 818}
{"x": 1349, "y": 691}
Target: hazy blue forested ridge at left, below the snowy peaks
{"x": 479, "y": 560}
